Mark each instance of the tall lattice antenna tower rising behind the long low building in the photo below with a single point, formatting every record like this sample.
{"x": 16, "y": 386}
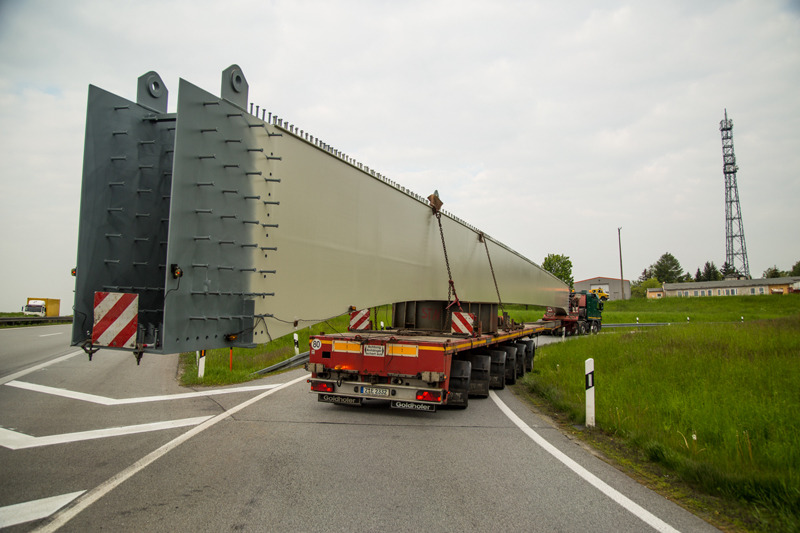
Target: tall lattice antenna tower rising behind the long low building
{"x": 735, "y": 248}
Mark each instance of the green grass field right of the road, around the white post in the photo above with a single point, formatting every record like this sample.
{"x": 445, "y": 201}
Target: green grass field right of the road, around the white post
{"x": 716, "y": 404}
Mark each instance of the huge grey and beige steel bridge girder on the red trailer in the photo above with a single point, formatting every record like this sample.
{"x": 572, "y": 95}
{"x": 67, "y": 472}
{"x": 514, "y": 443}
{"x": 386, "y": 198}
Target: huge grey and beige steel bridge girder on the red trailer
{"x": 232, "y": 229}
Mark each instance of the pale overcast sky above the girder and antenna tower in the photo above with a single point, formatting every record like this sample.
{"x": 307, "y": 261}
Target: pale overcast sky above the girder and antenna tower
{"x": 547, "y": 125}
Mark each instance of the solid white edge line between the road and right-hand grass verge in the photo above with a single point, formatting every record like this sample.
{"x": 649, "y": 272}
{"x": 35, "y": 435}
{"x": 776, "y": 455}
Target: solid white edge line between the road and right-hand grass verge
{"x": 640, "y": 512}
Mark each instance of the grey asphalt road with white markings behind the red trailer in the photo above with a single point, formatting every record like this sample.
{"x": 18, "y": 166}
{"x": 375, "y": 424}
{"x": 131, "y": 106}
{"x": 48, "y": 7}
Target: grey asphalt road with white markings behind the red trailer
{"x": 115, "y": 448}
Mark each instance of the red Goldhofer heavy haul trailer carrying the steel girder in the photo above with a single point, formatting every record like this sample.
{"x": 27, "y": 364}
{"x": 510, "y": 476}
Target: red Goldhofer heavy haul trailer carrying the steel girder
{"x": 418, "y": 365}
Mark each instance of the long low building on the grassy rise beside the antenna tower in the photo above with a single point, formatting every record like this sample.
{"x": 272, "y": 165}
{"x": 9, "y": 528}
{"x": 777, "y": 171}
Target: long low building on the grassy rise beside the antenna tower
{"x": 730, "y": 287}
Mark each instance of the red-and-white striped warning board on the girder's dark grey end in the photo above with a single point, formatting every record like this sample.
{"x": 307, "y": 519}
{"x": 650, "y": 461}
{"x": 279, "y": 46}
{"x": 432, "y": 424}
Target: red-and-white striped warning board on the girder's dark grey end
{"x": 116, "y": 319}
